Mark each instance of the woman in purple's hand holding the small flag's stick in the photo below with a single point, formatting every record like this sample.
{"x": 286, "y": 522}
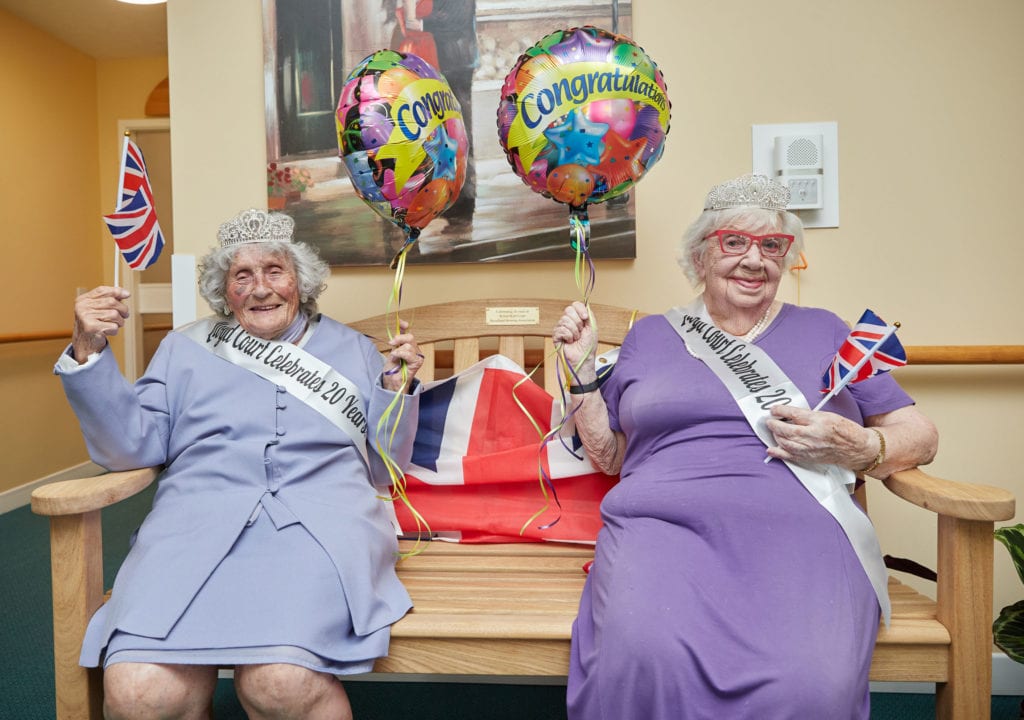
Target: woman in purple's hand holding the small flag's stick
{"x": 809, "y": 437}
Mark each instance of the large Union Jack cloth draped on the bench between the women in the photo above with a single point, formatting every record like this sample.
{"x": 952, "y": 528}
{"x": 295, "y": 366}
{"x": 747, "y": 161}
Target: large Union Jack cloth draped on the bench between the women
{"x": 476, "y": 472}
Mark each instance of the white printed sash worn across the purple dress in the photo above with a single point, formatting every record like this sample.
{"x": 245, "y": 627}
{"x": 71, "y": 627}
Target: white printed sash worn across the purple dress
{"x": 757, "y": 385}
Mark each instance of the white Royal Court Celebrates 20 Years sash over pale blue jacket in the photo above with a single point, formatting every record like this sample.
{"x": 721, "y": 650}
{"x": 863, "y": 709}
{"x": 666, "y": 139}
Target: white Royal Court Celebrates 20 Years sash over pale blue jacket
{"x": 304, "y": 376}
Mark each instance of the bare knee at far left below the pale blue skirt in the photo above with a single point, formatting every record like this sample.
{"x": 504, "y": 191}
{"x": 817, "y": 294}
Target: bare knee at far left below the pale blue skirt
{"x": 149, "y": 692}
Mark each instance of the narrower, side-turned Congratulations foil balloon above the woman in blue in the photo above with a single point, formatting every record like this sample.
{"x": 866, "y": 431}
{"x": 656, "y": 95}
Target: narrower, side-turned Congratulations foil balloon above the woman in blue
{"x": 403, "y": 140}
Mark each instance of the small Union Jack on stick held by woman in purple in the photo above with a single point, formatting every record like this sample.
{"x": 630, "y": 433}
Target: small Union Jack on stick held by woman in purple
{"x": 871, "y": 349}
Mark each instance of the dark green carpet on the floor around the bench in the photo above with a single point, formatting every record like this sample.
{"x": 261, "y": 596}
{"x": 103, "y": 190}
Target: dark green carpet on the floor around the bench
{"x": 27, "y": 658}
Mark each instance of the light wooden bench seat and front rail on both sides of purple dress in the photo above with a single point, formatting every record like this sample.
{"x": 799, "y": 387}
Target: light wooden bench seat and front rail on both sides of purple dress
{"x": 499, "y": 602}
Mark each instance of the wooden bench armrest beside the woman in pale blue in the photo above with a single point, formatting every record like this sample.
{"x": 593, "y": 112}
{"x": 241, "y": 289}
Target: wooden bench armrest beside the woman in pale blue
{"x": 90, "y": 494}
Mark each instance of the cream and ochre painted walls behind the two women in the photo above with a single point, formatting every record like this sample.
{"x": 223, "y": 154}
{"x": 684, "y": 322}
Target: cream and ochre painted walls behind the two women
{"x": 926, "y": 94}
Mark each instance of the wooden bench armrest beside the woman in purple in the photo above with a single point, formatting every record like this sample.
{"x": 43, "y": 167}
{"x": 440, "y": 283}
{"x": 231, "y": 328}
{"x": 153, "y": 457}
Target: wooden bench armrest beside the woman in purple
{"x": 961, "y": 500}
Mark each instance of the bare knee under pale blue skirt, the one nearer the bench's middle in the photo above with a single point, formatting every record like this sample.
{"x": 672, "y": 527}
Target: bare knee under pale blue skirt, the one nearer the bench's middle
{"x": 284, "y": 692}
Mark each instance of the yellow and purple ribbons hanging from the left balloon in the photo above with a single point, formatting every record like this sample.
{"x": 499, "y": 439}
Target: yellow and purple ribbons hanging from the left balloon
{"x": 398, "y": 407}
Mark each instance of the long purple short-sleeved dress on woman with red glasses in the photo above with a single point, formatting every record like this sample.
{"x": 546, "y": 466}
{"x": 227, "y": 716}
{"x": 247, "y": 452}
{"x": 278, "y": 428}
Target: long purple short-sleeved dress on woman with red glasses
{"x": 720, "y": 588}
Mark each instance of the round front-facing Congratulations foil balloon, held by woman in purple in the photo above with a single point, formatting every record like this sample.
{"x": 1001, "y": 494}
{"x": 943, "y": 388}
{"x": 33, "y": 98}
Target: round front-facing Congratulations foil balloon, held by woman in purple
{"x": 583, "y": 116}
